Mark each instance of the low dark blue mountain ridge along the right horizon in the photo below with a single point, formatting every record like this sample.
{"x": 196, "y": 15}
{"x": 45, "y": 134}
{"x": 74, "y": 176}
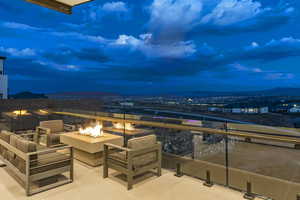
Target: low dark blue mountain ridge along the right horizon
{"x": 270, "y": 92}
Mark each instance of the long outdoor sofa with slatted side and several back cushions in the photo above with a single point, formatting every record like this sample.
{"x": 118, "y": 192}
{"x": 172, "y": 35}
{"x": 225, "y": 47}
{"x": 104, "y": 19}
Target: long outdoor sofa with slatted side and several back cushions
{"x": 37, "y": 168}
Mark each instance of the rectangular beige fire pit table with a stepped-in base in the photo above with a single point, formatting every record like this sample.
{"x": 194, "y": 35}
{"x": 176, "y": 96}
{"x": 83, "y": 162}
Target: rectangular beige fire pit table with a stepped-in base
{"x": 88, "y": 149}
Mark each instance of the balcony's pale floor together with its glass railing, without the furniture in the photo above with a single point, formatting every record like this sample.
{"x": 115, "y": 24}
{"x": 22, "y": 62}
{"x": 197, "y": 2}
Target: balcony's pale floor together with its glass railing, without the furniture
{"x": 235, "y": 159}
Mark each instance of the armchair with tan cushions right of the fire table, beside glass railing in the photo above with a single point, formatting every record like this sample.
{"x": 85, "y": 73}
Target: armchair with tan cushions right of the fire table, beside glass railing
{"x": 141, "y": 155}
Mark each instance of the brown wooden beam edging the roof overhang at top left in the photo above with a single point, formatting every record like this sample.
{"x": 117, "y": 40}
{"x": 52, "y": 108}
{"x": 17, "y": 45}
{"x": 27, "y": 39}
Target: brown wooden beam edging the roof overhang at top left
{"x": 53, "y": 4}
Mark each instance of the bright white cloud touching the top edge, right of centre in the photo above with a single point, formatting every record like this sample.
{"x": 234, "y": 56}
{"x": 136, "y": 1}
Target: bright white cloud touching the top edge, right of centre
{"x": 232, "y": 11}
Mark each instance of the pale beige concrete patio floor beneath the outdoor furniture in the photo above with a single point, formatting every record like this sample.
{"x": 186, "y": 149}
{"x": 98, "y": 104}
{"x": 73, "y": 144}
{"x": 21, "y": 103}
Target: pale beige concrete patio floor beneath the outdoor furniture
{"x": 90, "y": 185}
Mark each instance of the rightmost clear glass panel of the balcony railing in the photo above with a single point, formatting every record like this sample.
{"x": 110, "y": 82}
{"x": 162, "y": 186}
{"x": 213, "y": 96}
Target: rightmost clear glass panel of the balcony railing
{"x": 271, "y": 168}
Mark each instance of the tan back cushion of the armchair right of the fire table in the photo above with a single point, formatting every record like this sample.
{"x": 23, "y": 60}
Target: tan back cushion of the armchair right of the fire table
{"x": 142, "y": 142}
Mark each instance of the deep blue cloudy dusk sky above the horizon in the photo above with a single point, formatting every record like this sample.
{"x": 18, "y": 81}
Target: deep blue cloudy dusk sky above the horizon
{"x": 152, "y": 47}
